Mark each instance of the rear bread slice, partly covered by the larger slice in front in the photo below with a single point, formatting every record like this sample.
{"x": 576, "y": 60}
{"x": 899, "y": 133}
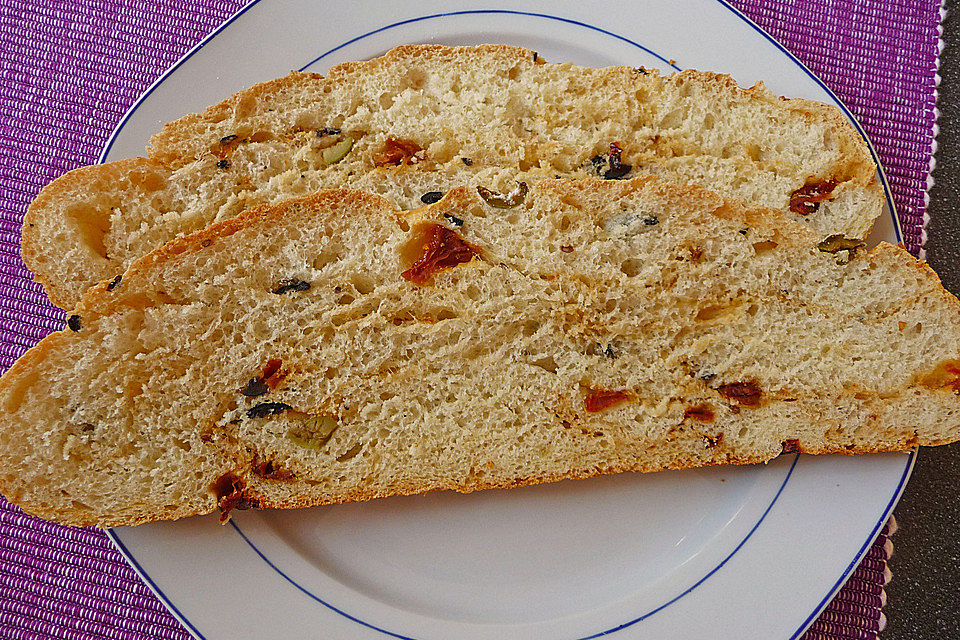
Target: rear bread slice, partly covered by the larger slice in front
{"x": 472, "y": 111}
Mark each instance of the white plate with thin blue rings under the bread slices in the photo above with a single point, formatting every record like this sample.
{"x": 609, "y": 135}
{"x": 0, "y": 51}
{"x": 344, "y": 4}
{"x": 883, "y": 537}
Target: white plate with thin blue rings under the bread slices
{"x": 717, "y": 553}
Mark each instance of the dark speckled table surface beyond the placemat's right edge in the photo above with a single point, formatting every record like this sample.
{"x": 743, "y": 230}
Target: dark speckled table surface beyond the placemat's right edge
{"x": 924, "y": 596}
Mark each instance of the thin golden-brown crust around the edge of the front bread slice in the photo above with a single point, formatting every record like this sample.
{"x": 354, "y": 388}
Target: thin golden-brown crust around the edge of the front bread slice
{"x": 100, "y": 301}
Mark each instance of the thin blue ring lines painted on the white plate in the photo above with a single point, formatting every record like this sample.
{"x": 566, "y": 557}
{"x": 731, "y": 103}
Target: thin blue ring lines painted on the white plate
{"x": 908, "y": 467}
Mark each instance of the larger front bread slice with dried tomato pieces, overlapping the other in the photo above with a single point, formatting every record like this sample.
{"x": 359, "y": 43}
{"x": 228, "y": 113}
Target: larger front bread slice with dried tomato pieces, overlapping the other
{"x": 333, "y": 348}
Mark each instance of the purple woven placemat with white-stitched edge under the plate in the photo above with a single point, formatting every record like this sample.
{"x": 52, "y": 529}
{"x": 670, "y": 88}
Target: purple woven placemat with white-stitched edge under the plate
{"x": 68, "y": 71}
